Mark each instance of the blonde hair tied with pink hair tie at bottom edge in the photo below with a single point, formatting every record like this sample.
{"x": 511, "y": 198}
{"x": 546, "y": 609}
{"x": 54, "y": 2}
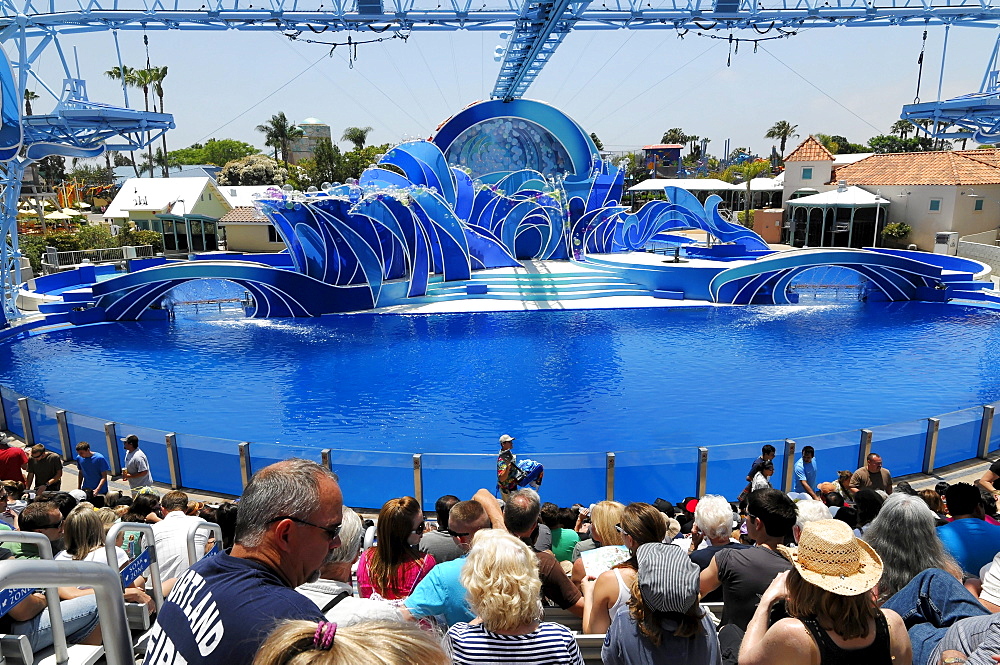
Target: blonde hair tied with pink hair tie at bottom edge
{"x": 369, "y": 642}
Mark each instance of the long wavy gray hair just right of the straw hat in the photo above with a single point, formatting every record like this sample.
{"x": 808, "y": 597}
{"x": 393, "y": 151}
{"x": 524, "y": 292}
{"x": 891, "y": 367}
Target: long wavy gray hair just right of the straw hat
{"x": 904, "y": 535}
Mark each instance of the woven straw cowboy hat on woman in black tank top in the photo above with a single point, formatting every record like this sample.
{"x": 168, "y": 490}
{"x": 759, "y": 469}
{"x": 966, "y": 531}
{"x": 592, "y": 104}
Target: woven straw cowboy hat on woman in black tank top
{"x": 830, "y": 557}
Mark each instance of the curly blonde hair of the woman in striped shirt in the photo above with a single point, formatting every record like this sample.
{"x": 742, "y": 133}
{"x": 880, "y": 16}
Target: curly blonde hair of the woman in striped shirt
{"x": 501, "y": 576}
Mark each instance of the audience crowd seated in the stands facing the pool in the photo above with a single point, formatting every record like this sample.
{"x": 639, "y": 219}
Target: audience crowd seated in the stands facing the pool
{"x": 857, "y": 569}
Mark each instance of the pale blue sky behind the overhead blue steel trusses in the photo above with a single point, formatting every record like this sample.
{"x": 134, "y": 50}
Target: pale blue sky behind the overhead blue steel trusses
{"x": 627, "y": 86}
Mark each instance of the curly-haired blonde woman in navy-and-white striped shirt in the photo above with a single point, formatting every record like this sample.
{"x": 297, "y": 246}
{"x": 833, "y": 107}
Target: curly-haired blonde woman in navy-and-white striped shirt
{"x": 501, "y": 576}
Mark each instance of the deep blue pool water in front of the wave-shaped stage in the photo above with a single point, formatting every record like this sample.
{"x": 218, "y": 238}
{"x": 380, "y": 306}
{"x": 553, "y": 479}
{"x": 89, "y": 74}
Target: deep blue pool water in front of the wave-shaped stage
{"x": 584, "y": 380}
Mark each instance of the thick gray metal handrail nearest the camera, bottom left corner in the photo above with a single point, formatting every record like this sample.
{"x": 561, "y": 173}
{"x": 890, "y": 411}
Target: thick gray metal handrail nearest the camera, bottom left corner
{"x": 107, "y": 591}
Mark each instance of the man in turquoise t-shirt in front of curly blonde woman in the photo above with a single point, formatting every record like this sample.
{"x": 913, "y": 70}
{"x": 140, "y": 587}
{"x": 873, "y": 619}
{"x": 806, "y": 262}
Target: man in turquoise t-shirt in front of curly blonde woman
{"x": 441, "y": 593}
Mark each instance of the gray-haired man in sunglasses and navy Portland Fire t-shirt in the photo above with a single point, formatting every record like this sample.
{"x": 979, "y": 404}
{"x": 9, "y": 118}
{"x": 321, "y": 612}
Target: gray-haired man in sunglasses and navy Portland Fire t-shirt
{"x": 223, "y": 608}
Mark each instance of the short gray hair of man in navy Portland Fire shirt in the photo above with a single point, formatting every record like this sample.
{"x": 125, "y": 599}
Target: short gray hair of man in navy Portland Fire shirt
{"x": 287, "y": 488}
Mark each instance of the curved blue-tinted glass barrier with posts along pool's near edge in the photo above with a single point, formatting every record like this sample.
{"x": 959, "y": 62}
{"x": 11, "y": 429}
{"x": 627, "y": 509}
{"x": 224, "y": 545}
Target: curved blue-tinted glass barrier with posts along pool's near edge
{"x": 368, "y": 478}
